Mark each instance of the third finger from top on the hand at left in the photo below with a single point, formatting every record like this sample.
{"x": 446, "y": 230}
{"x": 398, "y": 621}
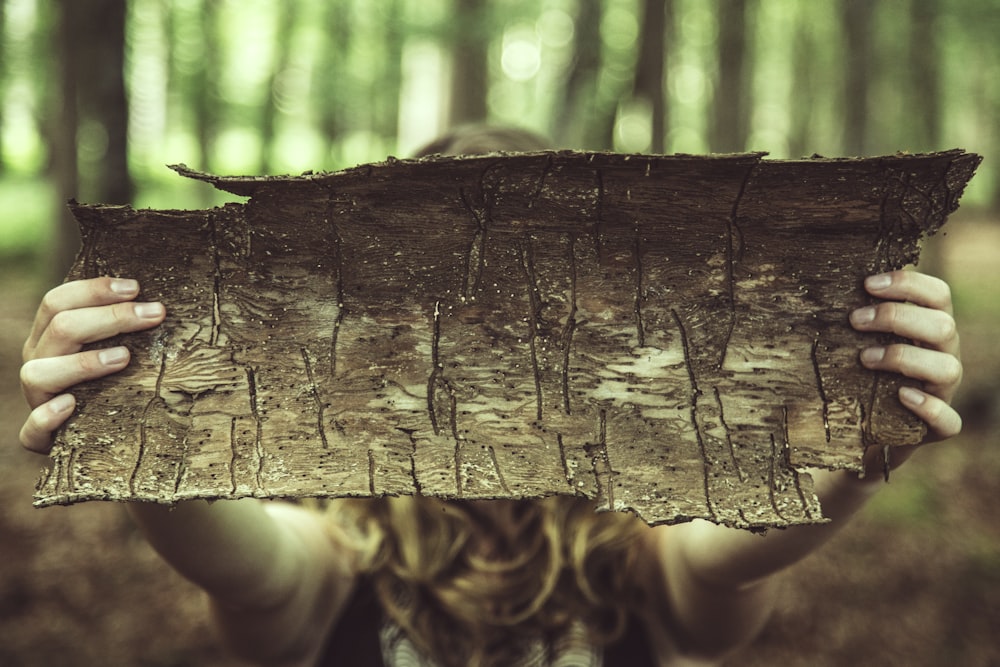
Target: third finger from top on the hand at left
{"x": 41, "y": 379}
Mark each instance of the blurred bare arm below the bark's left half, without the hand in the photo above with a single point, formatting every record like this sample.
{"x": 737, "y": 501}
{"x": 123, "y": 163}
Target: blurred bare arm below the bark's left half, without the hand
{"x": 276, "y": 580}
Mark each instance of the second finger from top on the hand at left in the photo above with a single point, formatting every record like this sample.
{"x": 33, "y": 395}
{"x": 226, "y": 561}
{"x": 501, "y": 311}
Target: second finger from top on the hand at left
{"x": 69, "y": 330}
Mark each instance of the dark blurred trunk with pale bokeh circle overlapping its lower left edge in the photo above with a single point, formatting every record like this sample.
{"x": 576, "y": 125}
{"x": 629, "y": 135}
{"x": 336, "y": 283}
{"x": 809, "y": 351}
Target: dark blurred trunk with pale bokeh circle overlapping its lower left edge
{"x": 650, "y": 78}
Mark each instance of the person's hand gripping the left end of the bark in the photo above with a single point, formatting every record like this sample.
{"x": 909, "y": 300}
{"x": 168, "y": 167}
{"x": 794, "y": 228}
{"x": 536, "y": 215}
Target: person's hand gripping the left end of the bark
{"x": 69, "y": 317}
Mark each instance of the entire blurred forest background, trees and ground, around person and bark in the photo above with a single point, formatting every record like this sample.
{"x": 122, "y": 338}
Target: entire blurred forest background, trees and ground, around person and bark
{"x": 96, "y": 96}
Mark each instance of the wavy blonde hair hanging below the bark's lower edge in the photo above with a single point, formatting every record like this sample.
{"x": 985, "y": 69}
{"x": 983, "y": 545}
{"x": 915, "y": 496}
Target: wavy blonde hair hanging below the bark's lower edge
{"x": 469, "y": 582}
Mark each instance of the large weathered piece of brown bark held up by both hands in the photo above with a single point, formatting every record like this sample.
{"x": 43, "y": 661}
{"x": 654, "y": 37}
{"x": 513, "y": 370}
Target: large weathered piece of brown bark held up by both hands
{"x": 667, "y": 334}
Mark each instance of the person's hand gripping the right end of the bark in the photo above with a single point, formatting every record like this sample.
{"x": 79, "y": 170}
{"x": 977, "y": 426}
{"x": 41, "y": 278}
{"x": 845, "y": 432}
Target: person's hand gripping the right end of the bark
{"x": 917, "y": 307}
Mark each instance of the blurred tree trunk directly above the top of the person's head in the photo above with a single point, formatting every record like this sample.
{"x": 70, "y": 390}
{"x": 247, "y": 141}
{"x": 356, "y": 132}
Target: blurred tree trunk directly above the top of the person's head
{"x": 470, "y": 67}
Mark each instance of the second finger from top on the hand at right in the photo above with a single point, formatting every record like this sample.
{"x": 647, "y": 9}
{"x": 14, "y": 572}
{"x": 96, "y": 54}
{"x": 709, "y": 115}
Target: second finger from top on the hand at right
{"x": 932, "y": 328}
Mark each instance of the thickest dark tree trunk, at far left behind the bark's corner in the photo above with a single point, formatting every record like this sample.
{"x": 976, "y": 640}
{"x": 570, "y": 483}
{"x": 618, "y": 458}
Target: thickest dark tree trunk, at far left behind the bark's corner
{"x": 91, "y": 46}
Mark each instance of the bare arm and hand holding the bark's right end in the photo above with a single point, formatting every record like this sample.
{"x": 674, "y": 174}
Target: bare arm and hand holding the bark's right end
{"x": 714, "y": 573}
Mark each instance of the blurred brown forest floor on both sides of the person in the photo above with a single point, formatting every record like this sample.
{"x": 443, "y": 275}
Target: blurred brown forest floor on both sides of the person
{"x": 914, "y": 581}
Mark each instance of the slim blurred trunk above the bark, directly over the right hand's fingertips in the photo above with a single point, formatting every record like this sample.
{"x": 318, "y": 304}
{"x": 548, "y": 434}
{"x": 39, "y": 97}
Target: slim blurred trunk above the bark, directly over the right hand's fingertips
{"x": 856, "y": 21}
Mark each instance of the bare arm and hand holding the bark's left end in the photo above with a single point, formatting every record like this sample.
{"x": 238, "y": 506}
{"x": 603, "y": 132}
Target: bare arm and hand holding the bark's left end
{"x": 276, "y": 579}
